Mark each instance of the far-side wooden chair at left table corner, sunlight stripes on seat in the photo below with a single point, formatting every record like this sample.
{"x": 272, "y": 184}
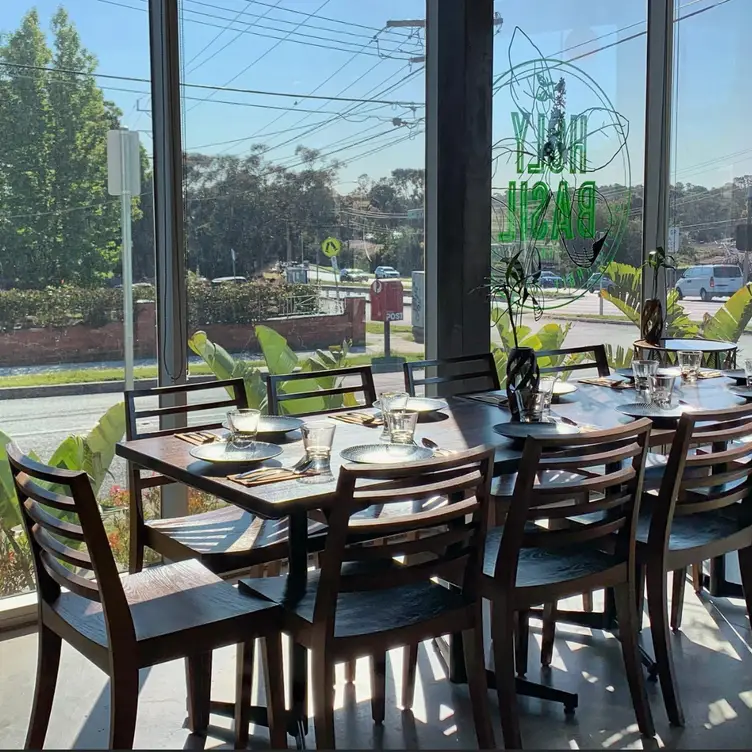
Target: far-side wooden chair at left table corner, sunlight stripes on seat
{"x": 225, "y": 540}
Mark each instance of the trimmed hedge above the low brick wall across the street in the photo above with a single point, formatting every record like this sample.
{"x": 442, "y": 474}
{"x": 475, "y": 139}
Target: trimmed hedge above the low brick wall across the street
{"x": 226, "y": 304}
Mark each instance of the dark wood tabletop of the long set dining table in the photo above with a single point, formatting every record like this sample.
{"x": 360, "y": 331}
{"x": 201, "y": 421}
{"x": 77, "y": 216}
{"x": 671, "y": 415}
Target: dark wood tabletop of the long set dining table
{"x": 465, "y": 424}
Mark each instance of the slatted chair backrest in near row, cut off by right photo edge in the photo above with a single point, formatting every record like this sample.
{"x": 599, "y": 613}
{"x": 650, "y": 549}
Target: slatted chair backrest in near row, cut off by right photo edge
{"x": 709, "y": 468}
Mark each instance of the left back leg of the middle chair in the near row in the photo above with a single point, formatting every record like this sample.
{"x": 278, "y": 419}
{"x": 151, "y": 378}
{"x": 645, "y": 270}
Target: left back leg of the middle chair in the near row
{"x": 502, "y": 632}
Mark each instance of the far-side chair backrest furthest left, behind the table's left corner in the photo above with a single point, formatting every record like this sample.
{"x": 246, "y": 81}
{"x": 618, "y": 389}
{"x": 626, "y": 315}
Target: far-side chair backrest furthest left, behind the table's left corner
{"x": 134, "y": 413}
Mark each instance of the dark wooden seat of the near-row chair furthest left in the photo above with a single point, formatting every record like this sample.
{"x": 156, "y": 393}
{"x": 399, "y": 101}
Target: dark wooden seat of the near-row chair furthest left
{"x": 362, "y": 613}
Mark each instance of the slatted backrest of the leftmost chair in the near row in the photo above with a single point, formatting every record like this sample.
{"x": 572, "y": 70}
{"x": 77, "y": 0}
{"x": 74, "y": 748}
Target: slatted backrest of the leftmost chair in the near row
{"x": 446, "y": 540}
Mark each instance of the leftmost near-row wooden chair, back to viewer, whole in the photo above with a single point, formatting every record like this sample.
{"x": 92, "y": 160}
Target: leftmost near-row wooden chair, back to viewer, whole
{"x": 363, "y": 602}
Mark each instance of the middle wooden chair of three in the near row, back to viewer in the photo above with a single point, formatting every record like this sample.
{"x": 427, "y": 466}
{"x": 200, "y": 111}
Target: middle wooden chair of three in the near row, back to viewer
{"x": 527, "y": 564}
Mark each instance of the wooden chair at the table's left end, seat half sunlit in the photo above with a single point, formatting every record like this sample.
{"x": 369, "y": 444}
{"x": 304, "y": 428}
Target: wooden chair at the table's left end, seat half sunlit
{"x": 125, "y": 624}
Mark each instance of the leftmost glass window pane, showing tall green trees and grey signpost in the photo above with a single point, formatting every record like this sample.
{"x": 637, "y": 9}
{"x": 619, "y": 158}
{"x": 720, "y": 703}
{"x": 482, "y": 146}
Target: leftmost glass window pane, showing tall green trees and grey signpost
{"x": 69, "y": 74}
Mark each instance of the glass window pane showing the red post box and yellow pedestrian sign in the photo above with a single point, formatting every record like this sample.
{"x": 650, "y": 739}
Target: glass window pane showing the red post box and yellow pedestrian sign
{"x": 304, "y": 156}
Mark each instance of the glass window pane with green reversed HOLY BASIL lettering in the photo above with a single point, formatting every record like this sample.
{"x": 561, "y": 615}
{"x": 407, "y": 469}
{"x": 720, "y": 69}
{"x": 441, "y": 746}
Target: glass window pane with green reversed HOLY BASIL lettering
{"x": 568, "y": 154}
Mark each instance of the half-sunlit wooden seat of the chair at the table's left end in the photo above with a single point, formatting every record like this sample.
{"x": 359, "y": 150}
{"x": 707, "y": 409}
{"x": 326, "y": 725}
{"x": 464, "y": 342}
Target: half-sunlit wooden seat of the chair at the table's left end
{"x": 167, "y": 604}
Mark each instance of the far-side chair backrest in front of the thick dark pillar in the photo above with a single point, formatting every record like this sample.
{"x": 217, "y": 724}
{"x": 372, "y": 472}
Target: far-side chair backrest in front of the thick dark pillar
{"x": 463, "y": 375}
